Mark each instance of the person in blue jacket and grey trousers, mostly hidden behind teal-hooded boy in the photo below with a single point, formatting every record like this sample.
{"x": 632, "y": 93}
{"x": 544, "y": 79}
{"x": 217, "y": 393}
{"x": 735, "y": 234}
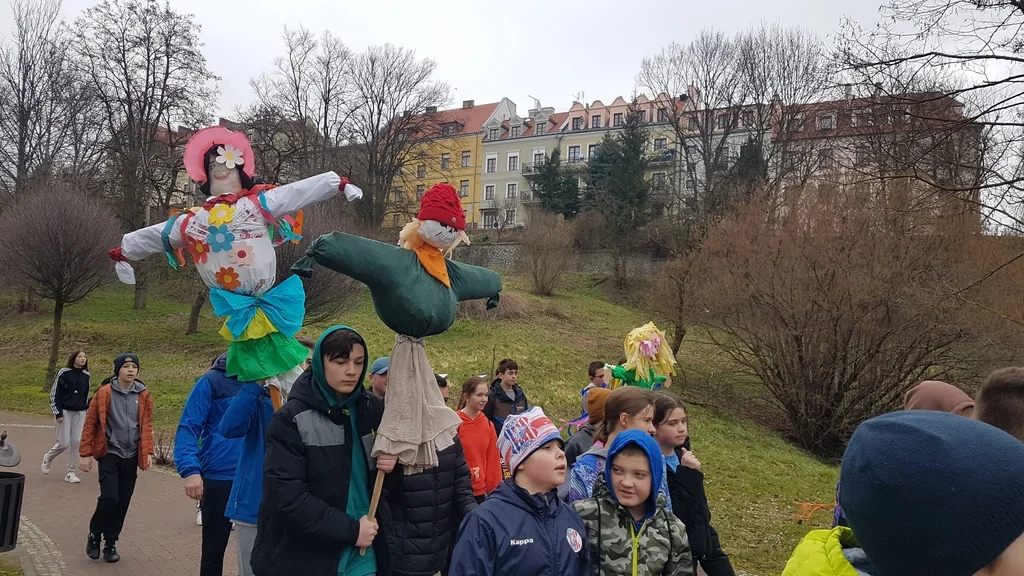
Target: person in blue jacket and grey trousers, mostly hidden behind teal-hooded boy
{"x": 249, "y": 419}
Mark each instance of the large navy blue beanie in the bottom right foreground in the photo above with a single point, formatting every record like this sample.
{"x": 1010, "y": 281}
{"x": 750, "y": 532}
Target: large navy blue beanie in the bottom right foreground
{"x": 929, "y": 493}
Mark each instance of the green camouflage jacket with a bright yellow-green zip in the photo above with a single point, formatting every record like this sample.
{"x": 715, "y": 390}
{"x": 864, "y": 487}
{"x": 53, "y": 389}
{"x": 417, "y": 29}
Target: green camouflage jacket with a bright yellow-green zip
{"x": 660, "y": 548}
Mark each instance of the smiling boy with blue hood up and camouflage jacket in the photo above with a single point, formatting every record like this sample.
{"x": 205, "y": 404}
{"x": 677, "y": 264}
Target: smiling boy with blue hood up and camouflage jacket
{"x": 631, "y": 531}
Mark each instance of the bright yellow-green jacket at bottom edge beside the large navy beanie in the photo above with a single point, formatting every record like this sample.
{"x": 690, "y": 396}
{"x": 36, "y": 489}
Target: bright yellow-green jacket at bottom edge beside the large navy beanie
{"x": 821, "y": 554}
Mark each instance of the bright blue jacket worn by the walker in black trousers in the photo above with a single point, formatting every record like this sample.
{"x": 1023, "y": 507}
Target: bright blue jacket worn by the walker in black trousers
{"x": 199, "y": 448}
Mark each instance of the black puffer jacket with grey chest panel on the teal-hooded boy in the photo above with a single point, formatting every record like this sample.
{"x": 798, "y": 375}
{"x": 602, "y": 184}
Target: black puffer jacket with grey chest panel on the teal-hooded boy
{"x": 303, "y": 527}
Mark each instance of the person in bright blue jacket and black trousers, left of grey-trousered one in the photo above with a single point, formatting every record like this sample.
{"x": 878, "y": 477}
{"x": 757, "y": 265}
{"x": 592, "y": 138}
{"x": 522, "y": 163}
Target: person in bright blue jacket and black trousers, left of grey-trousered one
{"x": 207, "y": 461}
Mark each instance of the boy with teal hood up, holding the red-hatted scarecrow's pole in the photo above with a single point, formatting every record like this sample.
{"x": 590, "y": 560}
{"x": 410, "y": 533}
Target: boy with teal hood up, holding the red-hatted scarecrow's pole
{"x": 317, "y": 474}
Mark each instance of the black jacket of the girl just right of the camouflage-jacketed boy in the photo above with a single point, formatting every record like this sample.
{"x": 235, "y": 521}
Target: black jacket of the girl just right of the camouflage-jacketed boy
{"x": 690, "y": 504}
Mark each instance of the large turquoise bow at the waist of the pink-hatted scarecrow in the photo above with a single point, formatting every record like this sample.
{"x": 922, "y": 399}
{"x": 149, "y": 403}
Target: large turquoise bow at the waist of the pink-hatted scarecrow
{"x": 285, "y": 307}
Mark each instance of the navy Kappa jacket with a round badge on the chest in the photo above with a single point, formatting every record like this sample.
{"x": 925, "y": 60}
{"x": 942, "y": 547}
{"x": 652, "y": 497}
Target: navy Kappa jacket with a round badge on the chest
{"x": 515, "y": 533}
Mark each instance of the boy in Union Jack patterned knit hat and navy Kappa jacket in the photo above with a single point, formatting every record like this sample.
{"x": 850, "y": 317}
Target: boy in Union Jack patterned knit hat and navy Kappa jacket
{"x": 524, "y": 529}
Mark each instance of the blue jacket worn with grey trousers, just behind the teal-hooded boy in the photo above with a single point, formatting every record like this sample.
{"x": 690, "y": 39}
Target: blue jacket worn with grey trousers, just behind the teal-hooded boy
{"x": 248, "y": 418}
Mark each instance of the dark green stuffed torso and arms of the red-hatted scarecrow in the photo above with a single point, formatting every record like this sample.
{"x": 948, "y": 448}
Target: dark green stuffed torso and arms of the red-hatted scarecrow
{"x": 407, "y": 299}
